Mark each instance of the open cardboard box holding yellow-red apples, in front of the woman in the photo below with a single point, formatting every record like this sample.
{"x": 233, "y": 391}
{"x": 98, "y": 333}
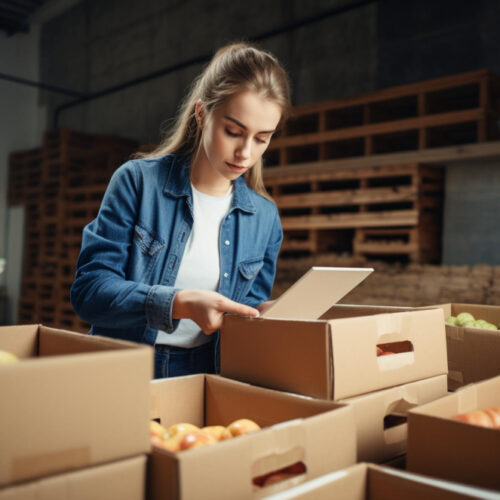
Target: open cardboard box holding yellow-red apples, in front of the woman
{"x": 319, "y": 433}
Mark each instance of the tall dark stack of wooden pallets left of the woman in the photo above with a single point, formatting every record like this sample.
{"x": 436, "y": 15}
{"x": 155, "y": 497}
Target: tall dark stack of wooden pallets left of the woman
{"x": 61, "y": 185}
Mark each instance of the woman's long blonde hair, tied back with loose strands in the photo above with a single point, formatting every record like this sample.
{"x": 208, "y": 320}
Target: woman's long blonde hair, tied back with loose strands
{"x": 233, "y": 68}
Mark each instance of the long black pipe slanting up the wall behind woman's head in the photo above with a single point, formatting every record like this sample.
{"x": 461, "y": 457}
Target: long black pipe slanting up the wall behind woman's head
{"x": 206, "y": 57}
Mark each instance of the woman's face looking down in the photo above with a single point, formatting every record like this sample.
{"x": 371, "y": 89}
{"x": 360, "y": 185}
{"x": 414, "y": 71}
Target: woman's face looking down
{"x": 236, "y": 134}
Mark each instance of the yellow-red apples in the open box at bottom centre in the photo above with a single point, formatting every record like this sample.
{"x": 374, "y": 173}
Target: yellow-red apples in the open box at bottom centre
{"x": 184, "y": 436}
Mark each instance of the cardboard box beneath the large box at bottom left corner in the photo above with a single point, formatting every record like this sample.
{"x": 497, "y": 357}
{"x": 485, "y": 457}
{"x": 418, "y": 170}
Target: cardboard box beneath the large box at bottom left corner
{"x": 123, "y": 480}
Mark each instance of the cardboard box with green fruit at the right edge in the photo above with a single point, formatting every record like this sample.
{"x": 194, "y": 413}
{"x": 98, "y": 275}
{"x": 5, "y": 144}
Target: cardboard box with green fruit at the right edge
{"x": 473, "y": 353}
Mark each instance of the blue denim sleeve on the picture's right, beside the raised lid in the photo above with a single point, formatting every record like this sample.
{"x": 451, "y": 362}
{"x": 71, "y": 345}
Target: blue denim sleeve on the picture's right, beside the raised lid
{"x": 263, "y": 284}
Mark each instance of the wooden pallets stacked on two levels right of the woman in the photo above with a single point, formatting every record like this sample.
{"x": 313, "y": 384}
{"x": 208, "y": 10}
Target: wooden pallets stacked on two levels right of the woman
{"x": 325, "y": 205}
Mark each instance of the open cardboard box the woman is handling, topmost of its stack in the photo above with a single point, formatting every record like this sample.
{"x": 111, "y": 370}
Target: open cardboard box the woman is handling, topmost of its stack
{"x": 335, "y": 357}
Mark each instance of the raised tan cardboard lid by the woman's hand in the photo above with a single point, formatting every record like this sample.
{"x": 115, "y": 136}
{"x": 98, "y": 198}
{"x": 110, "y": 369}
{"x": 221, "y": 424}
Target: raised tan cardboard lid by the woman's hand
{"x": 316, "y": 291}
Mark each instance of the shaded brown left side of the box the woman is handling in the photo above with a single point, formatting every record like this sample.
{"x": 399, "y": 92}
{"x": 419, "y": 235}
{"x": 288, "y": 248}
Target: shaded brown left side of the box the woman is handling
{"x": 251, "y": 351}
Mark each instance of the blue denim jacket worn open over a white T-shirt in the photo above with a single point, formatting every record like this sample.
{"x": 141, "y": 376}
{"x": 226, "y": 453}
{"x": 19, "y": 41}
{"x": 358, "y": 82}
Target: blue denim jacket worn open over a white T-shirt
{"x": 130, "y": 255}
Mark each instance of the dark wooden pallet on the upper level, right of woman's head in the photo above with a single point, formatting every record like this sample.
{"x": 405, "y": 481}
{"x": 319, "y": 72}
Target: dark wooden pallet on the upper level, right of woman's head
{"x": 458, "y": 109}
